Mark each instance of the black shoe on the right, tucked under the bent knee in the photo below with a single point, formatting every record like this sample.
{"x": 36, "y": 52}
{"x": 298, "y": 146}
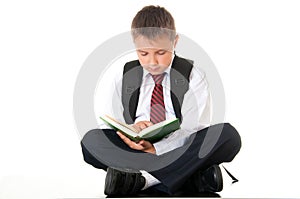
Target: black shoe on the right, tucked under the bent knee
{"x": 209, "y": 180}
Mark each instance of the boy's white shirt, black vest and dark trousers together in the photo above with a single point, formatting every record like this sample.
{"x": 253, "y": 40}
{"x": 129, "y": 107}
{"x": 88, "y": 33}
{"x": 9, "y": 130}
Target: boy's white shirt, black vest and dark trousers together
{"x": 195, "y": 146}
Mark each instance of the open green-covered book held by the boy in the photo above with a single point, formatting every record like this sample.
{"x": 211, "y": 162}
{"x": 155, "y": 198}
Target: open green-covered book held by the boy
{"x": 152, "y": 133}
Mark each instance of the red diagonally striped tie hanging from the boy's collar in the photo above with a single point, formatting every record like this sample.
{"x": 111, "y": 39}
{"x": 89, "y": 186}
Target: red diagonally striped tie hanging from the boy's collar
{"x": 158, "y": 111}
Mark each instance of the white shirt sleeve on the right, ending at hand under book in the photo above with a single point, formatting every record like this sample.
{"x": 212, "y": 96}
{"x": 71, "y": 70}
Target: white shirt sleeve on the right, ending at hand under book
{"x": 195, "y": 113}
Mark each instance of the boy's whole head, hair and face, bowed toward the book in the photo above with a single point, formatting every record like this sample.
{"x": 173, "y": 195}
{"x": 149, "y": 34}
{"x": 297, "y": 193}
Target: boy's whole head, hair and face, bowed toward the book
{"x": 154, "y": 34}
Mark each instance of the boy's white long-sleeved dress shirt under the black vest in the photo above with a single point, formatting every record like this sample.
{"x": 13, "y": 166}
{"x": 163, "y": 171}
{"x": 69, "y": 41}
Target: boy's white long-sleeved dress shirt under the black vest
{"x": 195, "y": 107}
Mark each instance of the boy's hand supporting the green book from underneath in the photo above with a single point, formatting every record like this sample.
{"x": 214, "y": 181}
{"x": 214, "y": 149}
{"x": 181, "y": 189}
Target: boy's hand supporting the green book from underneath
{"x": 142, "y": 145}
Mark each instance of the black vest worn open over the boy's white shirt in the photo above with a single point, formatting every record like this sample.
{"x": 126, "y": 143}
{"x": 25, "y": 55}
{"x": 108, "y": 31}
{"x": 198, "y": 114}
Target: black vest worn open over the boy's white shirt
{"x": 132, "y": 80}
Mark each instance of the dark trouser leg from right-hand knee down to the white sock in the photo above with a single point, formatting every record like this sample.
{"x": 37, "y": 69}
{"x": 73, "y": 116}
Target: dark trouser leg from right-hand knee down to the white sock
{"x": 226, "y": 147}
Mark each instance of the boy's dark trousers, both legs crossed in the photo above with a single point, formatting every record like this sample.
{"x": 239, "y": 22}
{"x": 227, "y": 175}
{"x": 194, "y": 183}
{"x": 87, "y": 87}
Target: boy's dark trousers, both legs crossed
{"x": 219, "y": 143}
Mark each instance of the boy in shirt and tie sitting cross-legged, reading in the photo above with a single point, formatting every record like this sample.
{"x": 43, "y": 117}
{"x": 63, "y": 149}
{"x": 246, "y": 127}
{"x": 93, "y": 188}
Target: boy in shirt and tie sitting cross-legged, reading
{"x": 159, "y": 86}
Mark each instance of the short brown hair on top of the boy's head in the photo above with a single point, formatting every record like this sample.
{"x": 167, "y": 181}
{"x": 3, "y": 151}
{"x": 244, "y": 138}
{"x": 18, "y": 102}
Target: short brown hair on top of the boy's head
{"x": 153, "y": 21}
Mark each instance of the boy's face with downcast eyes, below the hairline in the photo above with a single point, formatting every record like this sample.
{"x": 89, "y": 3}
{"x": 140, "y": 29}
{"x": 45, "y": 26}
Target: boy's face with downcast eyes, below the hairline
{"x": 155, "y": 55}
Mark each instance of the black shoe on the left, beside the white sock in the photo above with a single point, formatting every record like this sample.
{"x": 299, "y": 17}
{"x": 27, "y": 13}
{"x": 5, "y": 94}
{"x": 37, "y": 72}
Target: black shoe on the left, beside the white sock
{"x": 123, "y": 182}
